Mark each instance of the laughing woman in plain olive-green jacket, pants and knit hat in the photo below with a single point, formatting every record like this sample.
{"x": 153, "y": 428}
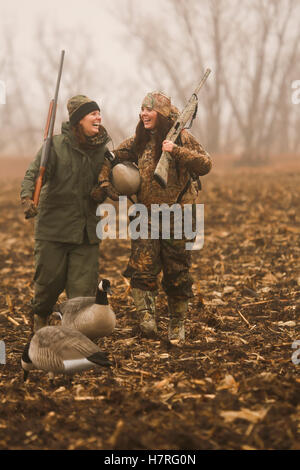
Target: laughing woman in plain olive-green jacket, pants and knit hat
{"x": 66, "y": 245}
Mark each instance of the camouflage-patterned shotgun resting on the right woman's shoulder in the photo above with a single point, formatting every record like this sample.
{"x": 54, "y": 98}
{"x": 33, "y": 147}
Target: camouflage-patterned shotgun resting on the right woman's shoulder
{"x": 188, "y": 113}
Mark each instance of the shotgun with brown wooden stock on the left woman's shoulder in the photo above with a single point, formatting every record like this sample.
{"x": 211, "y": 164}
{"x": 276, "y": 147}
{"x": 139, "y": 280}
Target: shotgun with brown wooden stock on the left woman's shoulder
{"x": 48, "y": 136}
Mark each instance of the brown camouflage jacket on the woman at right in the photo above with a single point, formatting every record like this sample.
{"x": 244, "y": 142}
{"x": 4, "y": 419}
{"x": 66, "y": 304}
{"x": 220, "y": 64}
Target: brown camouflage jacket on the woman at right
{"x": 188, "y": 158}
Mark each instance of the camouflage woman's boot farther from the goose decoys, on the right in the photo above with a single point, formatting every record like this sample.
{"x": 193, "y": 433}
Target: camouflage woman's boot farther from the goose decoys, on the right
{"x": 177, "y": 312}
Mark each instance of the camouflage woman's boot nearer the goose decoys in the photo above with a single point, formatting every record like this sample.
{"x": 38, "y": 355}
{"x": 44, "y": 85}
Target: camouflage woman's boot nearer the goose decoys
{"x": 145, "y": 305}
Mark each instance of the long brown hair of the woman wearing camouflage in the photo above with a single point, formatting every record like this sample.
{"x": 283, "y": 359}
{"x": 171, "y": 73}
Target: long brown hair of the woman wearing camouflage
{"x": 142, "y": 135}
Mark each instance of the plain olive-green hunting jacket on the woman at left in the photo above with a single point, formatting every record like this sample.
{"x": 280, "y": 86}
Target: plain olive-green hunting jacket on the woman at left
{"x": 66, "y": 212}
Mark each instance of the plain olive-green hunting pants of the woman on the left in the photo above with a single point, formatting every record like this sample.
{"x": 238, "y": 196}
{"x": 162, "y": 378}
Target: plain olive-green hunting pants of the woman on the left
{"x": 63, "y": 266}
